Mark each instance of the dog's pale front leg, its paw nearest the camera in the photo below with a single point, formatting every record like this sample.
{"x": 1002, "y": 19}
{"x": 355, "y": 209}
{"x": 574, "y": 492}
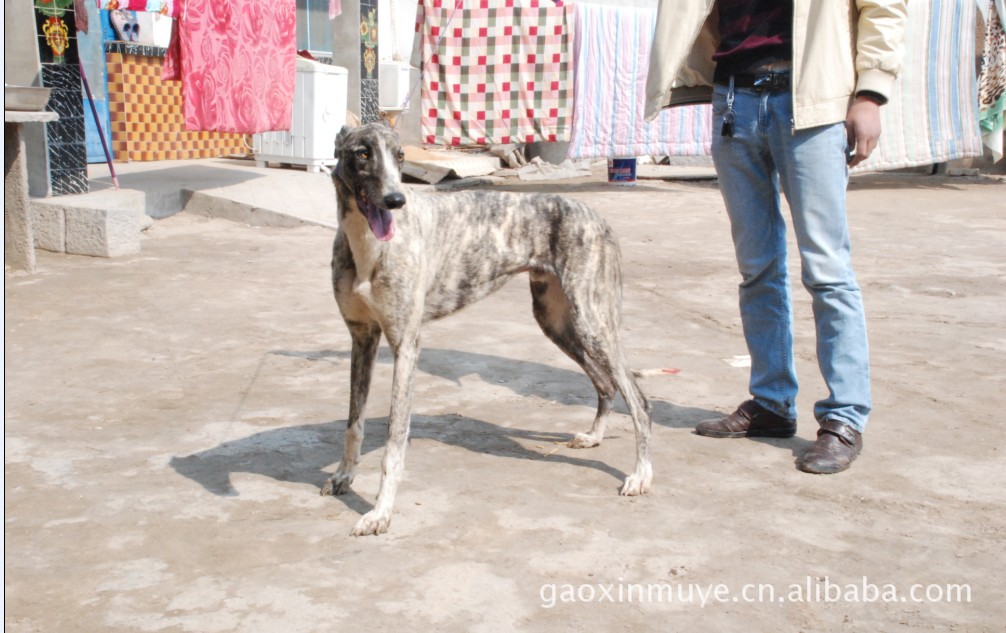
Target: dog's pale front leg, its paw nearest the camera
{"x": 377, "y": 521}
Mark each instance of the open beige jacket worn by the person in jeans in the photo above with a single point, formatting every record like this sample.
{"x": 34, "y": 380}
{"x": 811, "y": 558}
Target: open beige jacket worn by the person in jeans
{"x": 840, "y": 49}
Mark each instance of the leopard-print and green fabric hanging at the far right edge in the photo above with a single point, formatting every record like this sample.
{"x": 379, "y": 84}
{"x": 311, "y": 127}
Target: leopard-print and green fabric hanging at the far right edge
{"x": 992, "y": 81}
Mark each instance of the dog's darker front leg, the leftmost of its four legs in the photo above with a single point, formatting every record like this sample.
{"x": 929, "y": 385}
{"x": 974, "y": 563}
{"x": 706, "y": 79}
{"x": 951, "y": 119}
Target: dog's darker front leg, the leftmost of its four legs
{"x": 367, "y": 339}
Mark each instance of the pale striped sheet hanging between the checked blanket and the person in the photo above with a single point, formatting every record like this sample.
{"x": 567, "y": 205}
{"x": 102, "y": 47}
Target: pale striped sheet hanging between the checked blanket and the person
{"x": 612, "y": 53}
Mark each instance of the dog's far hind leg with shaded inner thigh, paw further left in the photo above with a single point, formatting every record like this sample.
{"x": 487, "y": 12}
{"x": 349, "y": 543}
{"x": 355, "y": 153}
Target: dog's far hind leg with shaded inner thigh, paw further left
{"x": 553, "y": 312}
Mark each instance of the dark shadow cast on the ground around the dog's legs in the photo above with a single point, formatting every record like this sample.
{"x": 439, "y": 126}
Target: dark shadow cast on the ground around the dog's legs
{"x": 305, "y": 454}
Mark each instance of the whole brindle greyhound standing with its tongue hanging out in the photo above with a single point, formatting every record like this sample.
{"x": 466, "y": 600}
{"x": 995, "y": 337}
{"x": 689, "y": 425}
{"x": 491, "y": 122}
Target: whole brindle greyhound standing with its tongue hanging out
{"x": 403, "y": 258}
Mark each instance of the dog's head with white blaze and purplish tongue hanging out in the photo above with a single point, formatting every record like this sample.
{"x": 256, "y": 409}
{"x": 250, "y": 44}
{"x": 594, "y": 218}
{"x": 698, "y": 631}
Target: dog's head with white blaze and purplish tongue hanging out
{"x": 370, "y": 173}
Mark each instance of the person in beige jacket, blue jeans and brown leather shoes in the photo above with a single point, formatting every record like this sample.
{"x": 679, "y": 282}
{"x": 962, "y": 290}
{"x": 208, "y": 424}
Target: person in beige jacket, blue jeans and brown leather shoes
{"x": 796, "y": 88}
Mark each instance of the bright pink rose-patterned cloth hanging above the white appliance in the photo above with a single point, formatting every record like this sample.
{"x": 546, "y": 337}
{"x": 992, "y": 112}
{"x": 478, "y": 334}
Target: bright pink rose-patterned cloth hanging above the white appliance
{"x": 238, "y": 64}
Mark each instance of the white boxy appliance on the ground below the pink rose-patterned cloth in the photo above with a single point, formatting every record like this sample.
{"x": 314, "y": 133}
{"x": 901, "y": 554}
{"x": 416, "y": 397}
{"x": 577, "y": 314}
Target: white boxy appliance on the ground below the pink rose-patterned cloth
{"x": 320, "y": 95}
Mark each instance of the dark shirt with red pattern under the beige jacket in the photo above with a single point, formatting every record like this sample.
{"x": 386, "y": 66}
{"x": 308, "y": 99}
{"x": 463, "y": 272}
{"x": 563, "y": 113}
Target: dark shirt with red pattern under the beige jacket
{"x": 753, "y": 33}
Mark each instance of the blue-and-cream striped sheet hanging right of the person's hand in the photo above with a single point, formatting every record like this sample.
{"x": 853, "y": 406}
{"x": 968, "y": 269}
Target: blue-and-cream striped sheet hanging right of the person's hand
{"x": 932, "y": 117}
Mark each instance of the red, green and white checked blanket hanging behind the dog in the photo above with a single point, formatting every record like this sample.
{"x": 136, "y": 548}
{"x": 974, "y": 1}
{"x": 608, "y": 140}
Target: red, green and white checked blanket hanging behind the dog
{"x": 498, "y": 73}
